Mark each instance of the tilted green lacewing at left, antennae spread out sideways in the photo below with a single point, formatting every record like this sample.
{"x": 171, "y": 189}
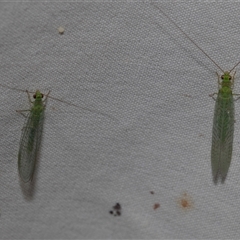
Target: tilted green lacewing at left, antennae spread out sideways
{"x": 32, "y": 132}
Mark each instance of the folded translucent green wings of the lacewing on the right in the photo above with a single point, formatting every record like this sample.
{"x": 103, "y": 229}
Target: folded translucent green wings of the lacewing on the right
{"x": 222, "y": 136}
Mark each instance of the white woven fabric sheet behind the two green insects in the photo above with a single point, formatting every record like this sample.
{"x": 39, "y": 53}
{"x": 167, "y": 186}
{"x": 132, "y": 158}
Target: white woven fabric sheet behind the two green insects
{"x": 126, "y": 60}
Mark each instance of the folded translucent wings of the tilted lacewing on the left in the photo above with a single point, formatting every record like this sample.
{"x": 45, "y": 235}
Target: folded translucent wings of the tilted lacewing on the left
{"x": 29, "y": 145}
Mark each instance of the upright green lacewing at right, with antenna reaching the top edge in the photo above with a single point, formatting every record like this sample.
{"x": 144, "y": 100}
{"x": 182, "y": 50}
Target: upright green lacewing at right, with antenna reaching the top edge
{"x": 223, "y": 120}
